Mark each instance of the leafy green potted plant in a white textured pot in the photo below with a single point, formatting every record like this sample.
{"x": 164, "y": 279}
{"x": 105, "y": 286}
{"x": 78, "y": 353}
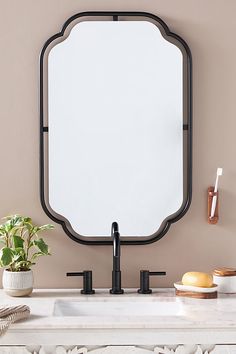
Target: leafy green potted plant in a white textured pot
{"x": 21, "y": 247}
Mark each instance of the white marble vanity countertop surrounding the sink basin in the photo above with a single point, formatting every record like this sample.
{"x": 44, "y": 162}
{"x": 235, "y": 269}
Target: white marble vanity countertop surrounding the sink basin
{"x": 196, "y": 315}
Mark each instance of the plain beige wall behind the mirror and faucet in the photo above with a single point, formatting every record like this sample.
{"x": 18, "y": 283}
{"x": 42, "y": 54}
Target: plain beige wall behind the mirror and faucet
{"x": 209, "y": 27}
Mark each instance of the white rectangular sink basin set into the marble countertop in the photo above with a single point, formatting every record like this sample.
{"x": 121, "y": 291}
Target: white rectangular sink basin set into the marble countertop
{"x": 116, "y": 308}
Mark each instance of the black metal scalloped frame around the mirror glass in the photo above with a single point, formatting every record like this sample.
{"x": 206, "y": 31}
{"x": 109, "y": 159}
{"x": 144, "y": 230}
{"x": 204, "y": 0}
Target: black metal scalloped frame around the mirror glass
{"x": 187, "y": 126}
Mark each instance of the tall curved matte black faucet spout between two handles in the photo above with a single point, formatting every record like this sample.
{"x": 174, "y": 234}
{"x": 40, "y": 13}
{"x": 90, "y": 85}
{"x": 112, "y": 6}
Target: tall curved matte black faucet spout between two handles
{"x": 116, "y": 273}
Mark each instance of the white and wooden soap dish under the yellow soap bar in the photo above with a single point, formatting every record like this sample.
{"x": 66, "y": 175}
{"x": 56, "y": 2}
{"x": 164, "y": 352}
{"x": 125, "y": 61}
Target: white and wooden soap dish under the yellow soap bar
{"x": 196, "y": 291}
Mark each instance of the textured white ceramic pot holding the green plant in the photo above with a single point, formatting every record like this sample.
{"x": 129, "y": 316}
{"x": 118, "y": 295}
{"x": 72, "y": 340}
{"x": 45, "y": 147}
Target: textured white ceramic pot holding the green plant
{"x": 17, "y": 283}
